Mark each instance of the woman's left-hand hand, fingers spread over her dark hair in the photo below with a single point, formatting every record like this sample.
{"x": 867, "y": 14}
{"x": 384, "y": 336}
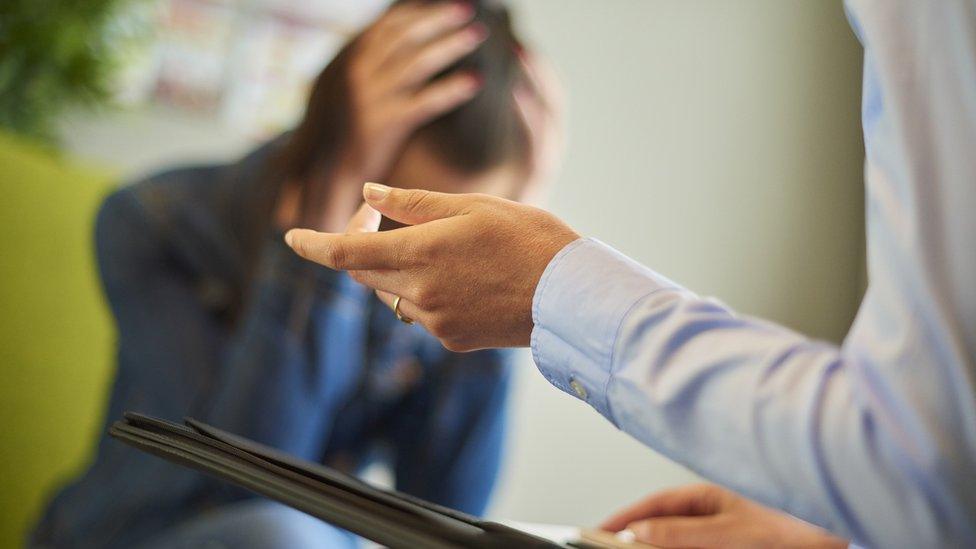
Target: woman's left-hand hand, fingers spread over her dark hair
{"x": 389, "y": 79}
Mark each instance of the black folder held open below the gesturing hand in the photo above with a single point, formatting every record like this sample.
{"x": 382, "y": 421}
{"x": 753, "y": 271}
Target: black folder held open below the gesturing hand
{"x": 389, "y": 518}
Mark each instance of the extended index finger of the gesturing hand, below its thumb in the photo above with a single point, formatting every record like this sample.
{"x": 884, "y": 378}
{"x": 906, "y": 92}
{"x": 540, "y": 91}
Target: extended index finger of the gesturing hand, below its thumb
{"x": 360, "y": 251}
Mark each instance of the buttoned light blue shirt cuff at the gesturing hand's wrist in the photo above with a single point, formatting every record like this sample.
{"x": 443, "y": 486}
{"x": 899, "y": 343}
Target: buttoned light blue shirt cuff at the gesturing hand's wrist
{"x": 582, "y": 298}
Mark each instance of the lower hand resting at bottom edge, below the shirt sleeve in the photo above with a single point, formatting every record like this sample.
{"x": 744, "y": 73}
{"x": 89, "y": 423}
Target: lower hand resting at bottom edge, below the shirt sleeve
{"x": 708, "y": 516}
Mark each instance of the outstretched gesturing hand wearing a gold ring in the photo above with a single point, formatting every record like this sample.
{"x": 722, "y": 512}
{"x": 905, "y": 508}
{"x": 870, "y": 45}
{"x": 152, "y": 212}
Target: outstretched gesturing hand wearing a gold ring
{"x": 466, "y": 270}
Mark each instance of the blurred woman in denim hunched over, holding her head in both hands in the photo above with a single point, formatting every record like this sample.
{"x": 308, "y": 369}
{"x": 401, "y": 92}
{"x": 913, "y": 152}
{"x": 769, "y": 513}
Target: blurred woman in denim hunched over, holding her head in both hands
{"x": 254, "y": 340}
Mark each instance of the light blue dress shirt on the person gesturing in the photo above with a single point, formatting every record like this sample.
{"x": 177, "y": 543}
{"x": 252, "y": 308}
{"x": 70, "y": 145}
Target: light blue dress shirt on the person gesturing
{"x": 875, "y": 439}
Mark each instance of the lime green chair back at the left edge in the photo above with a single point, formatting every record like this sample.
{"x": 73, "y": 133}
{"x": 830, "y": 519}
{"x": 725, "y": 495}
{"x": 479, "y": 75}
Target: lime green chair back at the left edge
{"x": 56, "y": 334}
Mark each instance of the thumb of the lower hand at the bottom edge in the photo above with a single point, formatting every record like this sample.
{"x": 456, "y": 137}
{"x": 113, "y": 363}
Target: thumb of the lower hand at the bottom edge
{"x": 709, "y": 531}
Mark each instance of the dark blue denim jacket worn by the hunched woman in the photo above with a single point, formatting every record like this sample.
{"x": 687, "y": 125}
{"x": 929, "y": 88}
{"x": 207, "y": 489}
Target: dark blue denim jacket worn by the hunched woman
{"x": 352, "y": 386}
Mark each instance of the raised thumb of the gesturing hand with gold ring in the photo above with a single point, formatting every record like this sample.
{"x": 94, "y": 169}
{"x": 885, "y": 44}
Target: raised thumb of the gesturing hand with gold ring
{"x": 415, "y": 206}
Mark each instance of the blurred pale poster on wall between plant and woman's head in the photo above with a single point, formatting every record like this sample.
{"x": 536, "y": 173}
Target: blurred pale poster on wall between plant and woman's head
{"x": 246, "y": 63}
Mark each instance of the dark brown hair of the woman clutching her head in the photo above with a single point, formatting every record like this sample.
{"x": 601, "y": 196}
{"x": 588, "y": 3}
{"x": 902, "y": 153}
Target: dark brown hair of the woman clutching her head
{"x": 480, "y": 134}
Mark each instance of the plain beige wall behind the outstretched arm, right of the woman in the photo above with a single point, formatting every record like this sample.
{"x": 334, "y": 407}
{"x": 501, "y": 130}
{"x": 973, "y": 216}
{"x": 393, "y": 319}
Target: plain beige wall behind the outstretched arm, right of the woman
{"x": 718, "y": 142}
